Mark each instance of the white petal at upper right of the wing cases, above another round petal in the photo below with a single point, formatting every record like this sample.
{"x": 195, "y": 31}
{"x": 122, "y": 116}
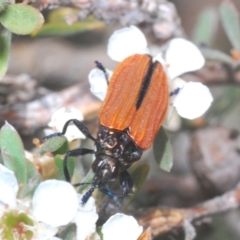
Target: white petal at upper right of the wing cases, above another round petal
{"x": 182, "y": 56}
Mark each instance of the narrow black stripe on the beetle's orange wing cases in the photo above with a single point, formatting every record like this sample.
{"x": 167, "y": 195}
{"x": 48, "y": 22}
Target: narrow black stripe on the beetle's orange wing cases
{"x": 145, "y": 83}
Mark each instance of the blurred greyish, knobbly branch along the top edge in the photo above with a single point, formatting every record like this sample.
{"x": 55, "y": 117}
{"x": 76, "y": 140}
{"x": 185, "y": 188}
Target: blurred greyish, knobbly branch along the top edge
{"x": 157, "y": 16}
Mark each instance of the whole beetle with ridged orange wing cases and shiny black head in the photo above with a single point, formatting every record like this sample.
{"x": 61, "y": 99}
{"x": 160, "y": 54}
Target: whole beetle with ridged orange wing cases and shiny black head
{"x": 130, "y": 116}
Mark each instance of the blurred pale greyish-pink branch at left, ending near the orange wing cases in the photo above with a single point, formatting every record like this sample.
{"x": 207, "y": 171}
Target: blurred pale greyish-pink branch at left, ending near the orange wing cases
{"x": 27, "y": 117}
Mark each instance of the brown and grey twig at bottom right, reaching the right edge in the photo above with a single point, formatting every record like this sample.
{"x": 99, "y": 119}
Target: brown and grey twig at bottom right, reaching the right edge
{"x": 163, "y": 220}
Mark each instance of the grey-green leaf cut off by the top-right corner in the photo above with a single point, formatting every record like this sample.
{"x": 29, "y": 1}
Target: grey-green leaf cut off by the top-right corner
{"x": 231, "y": 22}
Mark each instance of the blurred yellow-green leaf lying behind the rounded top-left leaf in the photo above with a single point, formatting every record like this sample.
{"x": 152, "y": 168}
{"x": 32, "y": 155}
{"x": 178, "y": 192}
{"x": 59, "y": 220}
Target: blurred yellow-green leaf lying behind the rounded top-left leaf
{"x": 63, "y": 29}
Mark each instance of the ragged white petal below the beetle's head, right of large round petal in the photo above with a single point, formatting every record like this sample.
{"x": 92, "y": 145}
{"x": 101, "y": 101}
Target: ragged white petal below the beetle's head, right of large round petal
{"x": 86, "y": 218}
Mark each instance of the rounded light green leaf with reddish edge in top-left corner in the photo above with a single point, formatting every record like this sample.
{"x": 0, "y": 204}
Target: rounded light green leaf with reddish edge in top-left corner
{"x": 21, "y": 19}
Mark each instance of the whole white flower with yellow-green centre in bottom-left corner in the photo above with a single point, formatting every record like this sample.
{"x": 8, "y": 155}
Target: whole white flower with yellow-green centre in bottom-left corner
{"x": 54, "y": 204}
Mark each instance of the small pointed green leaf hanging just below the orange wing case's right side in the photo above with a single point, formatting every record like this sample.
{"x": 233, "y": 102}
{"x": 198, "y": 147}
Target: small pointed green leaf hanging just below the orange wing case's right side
{"x": 162, "y": 150}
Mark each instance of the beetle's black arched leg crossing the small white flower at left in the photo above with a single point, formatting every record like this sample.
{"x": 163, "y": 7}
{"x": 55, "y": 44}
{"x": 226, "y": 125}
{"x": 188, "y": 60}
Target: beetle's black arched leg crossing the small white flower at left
{"x": 78, "y": 124}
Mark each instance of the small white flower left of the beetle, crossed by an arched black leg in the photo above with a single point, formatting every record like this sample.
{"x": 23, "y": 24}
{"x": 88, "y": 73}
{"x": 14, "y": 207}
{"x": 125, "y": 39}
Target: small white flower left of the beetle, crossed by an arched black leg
{"x": 61, "y": 116}
